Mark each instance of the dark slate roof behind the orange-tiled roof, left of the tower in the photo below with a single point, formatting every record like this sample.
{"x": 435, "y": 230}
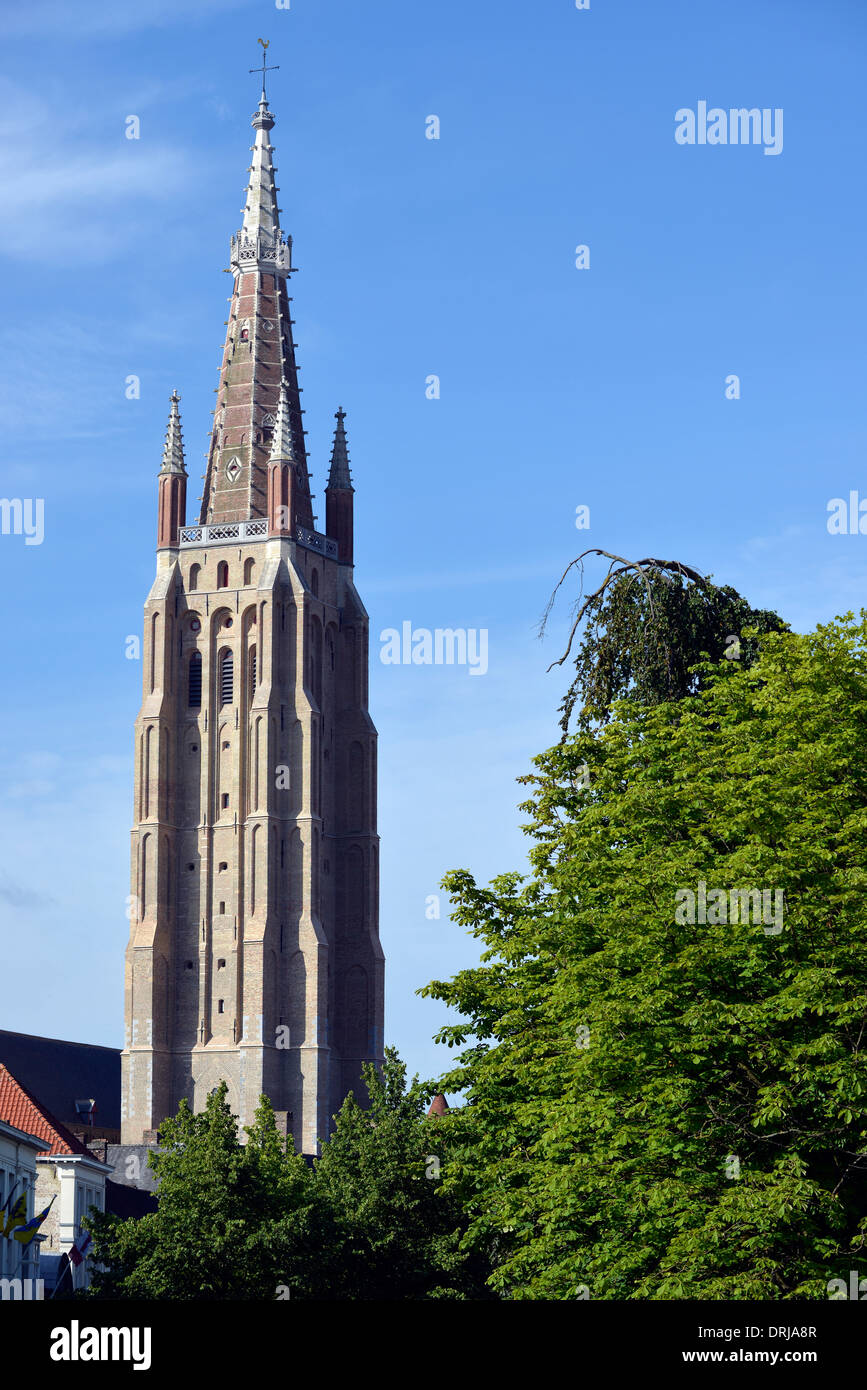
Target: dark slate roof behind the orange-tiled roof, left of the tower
{"x": 62, "y": 1074}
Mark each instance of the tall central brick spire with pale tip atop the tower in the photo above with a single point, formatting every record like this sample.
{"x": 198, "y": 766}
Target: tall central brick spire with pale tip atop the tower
{"x": 259, "y": 358}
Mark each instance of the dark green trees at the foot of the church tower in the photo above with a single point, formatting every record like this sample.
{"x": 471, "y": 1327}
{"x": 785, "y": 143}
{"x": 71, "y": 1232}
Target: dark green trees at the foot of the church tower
{"x": 251, "y": 1221}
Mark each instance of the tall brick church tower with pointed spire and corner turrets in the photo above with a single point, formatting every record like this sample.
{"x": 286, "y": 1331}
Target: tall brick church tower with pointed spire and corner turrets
{"x": 254, "y": 951}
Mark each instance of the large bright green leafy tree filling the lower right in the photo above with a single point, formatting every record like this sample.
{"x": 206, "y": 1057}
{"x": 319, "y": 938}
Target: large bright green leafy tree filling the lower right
{"x": 661, "y": 1107}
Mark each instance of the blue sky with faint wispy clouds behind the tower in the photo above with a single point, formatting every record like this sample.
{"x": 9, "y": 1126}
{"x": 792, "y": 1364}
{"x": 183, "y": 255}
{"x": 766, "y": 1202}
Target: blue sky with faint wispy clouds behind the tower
{"x": 456, "y": 258}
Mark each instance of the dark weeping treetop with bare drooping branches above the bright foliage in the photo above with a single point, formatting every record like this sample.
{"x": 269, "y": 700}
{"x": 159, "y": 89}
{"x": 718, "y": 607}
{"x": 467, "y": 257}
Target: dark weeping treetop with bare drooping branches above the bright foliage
{"x": 647, "y": 630}
